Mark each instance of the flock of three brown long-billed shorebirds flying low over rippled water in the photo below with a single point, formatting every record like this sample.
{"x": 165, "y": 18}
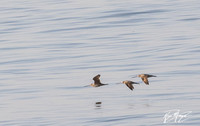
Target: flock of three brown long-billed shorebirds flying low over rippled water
{"x": 129, "y": 84}
